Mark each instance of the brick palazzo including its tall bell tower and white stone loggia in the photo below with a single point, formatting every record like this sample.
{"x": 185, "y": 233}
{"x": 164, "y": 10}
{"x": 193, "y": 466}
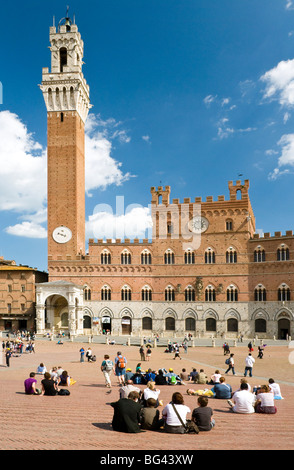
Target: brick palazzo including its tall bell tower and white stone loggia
{"x": 205, "y": 271}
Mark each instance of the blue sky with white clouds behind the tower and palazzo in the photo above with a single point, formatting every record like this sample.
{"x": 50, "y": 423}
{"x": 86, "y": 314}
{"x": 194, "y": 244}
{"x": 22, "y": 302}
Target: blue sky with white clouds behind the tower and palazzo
{"x": 186, "y": 93}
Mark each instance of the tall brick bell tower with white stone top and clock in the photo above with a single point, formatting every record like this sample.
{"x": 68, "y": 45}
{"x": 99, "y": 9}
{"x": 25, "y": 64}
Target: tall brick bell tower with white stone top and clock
{"x": 66, "y": 96}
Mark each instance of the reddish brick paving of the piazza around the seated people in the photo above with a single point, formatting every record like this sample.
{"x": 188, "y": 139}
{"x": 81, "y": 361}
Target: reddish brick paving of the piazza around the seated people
{"x": 82, "y": 421}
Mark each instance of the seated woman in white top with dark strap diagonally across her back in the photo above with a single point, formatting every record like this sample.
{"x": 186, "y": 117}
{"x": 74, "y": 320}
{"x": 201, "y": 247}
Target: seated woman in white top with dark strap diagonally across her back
{"x": 172, "y": 422}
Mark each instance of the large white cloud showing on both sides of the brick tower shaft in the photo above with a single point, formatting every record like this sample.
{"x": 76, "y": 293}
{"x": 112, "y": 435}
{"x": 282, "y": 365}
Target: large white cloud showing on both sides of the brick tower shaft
{"x": 23, "y": 169}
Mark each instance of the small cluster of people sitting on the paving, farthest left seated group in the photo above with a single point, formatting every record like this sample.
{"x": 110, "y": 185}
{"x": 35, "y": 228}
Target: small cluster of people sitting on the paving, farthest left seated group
{"x": 50, "y": 385}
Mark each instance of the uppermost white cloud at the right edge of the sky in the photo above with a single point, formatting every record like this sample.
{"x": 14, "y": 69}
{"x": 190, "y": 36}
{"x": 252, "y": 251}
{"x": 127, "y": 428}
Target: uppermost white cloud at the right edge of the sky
{"x": 279, "y": 83}
